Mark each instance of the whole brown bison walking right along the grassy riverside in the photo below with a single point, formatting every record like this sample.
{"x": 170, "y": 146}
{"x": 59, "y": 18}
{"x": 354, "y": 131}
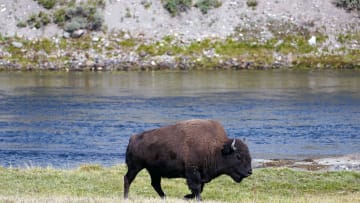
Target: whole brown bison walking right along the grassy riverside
{"x": 197, "y": 150}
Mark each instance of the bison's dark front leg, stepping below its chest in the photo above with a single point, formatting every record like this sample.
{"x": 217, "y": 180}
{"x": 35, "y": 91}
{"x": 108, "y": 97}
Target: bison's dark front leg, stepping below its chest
{"x": 193, "y": 179}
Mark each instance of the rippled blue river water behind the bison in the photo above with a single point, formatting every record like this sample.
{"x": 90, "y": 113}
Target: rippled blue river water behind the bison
{"x": 66, "y": 119}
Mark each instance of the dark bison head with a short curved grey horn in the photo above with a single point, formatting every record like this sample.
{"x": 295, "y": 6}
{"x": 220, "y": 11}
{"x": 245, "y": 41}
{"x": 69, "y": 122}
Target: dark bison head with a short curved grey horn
{"x": 237, "y": 160}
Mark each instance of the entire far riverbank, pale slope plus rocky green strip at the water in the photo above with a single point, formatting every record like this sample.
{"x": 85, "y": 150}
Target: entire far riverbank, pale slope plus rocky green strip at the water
{"x": 145, "y": 36}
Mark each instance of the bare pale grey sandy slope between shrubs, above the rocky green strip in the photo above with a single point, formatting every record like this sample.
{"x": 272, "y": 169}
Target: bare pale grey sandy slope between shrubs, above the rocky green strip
{"x": 155, "y": 22}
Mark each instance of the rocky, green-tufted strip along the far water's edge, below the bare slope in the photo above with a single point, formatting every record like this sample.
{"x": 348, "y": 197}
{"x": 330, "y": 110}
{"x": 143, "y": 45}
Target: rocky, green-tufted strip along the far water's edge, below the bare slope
{"x": 119, "y": 52}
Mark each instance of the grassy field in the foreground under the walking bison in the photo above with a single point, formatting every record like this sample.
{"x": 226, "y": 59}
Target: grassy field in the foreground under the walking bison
{"x": 93, "y": 183}
